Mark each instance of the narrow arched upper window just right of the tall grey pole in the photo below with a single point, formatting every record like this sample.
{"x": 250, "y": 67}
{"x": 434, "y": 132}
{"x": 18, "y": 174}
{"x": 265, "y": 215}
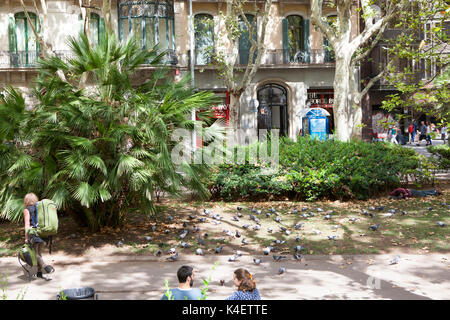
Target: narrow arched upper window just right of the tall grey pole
{"x": 204, "y": 38}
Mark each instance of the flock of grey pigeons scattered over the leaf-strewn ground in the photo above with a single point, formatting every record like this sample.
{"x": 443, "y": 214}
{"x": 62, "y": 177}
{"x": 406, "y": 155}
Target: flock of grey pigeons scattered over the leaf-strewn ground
{"x": 253, "y": 215}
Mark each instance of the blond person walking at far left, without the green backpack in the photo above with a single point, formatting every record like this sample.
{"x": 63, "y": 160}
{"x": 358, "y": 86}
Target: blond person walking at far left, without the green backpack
{"x": 29, "y": 215}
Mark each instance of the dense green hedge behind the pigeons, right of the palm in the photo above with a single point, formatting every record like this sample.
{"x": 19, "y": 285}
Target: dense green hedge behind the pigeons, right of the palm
{"x": 310, "y": 170}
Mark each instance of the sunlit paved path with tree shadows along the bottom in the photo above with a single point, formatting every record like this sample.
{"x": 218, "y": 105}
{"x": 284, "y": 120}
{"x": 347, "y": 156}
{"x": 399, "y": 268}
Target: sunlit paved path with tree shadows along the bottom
{"x": 425, "y": 276}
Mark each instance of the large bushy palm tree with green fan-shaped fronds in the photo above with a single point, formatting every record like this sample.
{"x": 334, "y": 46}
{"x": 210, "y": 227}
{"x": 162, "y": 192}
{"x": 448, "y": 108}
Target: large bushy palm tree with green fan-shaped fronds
{"x": 101, "y": 147}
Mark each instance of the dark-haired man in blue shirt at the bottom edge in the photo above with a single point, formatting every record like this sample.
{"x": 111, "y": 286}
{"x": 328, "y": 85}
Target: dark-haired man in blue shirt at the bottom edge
{"x": 184, "y": 291}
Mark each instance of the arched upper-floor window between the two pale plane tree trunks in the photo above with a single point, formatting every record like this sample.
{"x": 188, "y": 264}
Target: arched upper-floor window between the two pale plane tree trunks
{"x": 295, "y": 39}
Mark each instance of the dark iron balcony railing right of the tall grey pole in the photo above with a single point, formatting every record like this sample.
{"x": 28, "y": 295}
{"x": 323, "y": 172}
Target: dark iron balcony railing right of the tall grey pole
{"x": 274, "y": 57}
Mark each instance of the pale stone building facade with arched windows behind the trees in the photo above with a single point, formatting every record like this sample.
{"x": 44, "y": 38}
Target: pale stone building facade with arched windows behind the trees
{"x": 296, "y": 72}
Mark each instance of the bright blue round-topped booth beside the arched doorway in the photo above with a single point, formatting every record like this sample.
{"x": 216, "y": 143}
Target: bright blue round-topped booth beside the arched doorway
{"x": 315, "y": 123}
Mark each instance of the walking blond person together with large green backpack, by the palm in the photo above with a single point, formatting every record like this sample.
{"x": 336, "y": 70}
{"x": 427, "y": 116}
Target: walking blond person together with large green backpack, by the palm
{"x": 41, "y": 223}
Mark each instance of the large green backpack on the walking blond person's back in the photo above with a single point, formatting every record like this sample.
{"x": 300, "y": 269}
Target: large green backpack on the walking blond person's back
{"x": 45, "y": 219}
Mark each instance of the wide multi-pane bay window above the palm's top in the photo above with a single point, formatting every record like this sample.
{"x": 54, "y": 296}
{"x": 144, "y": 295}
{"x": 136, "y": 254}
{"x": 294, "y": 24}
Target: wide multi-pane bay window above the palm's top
{"x": 150, "y": 22}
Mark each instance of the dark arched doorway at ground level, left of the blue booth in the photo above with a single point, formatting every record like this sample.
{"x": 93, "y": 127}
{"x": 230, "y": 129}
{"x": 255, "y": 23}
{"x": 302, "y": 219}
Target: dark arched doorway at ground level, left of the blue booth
{"x": 272, "y": 109}
